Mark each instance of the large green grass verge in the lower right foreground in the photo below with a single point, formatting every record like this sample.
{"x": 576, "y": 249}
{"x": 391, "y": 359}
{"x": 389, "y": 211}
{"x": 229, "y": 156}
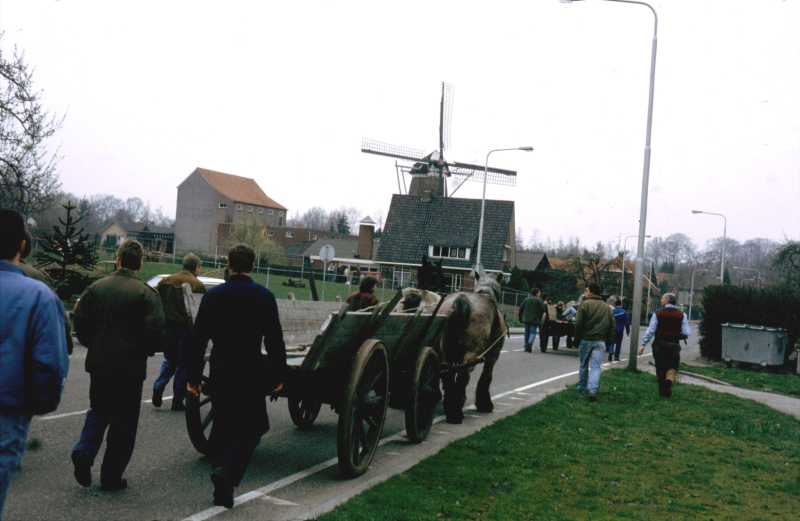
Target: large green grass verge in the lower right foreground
{"x": 631, "y": 455}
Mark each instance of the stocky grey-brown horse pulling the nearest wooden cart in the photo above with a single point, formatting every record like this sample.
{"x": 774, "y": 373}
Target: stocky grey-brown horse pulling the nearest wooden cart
{"x": 475, "y": 330}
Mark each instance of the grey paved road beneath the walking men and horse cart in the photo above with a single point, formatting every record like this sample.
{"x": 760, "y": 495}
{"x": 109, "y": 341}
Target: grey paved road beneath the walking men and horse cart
{"x": 293, "y": 473}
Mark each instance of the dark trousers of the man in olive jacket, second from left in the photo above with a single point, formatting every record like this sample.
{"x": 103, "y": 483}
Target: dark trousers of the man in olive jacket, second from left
{"x": 115, "y": 404}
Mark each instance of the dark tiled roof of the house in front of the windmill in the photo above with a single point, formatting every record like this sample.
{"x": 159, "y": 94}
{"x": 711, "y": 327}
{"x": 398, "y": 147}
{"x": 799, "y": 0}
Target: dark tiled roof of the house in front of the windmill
{"x": 413, "y": 224}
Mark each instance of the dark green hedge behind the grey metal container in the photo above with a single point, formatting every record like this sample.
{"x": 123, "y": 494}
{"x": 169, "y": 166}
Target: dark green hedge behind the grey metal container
{"x": 777, "y": 306}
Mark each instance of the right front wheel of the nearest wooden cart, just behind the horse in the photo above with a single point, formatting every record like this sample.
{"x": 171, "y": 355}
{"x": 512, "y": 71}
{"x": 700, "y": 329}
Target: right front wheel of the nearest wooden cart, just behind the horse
{"x": 423, "y": 395}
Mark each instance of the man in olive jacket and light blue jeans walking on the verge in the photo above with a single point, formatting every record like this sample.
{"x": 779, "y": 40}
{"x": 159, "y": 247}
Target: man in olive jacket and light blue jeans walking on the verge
{"x": 594, "y": 325}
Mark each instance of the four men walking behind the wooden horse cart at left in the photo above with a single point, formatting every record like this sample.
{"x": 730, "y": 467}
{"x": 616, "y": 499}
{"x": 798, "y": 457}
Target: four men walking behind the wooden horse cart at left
{"x": 122, "y": 321}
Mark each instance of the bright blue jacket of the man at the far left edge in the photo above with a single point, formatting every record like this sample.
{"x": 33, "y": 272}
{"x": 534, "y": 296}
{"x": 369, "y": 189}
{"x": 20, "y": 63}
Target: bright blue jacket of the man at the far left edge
{"x": 33, "y": 348}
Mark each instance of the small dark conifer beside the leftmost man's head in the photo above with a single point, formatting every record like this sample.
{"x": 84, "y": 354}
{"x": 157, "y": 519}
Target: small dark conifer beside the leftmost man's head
{"x": 65, "y": 250}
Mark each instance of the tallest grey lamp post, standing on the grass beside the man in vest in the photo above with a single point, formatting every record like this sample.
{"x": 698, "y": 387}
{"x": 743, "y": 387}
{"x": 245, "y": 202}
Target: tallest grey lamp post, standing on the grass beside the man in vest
{"x": 639, "y": 264}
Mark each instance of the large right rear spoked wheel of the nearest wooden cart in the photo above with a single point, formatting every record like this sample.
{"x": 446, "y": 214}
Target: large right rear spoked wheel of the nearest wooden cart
{"x": 363, "y": 409}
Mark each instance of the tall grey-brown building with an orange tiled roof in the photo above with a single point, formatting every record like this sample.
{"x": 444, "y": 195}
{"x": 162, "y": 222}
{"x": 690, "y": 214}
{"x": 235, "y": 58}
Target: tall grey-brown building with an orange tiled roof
{"x": 209, "y": 202}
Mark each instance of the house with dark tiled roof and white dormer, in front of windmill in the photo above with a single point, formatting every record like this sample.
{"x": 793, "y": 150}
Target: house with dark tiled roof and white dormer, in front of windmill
{"x": 445, "y": 228}
